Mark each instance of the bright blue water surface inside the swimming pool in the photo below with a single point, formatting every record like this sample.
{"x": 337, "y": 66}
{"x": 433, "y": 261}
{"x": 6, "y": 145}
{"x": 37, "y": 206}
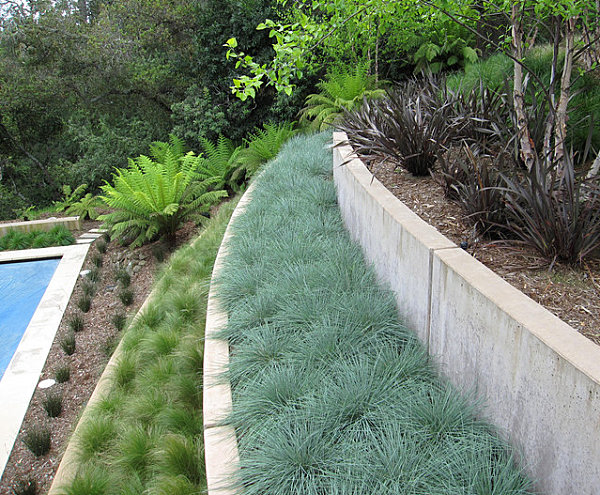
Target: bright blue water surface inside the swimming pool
{"x": 22, "y": 285}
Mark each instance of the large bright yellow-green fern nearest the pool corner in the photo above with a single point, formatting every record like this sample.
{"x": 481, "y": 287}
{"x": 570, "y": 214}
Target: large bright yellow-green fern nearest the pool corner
{"x": 152, "y": 198}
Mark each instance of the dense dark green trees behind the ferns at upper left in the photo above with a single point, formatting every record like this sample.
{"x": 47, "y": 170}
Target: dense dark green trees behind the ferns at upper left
{"x": 86, "y": 84}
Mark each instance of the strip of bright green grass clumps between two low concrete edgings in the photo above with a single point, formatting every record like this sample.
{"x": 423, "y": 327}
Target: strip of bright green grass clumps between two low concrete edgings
{"x": 145, "y": 434}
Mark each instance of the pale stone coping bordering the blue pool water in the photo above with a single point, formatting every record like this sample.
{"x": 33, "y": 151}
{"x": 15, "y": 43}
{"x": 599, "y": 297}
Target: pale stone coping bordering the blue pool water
{"x": 21, "y": 377}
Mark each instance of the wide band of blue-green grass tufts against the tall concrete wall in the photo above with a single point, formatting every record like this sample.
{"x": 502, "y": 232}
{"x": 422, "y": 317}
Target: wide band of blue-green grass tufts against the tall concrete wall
{"x": 332, "y": 394}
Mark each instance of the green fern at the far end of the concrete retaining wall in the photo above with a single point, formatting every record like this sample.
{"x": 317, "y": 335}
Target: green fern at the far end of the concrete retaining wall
{"x": 342, "y": 89}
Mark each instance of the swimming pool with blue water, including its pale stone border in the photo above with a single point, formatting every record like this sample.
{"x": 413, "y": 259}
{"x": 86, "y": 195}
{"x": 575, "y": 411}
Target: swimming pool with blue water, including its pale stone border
{"x": 22, "y": 373}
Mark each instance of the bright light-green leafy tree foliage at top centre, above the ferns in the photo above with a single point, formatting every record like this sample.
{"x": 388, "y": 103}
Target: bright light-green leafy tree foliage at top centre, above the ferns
{"x": 349, "y": 32}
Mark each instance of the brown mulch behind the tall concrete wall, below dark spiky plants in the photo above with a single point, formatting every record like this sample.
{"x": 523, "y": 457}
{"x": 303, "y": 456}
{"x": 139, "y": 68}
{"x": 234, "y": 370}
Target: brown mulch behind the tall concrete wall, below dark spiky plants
{"x": 572, "y": 293}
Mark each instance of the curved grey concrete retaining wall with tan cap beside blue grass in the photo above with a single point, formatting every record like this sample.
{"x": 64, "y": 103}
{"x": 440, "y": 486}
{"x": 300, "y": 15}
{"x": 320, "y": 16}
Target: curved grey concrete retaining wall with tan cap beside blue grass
{"x": 540, "y": 379}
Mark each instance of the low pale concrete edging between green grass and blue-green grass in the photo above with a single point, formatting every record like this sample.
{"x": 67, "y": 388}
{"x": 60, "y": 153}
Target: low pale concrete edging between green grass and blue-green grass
{"x": 220, "y": 442}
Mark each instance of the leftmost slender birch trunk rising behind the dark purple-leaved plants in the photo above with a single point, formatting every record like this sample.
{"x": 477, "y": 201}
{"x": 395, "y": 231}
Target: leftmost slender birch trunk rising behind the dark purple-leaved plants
{"x": 526, "y": 147}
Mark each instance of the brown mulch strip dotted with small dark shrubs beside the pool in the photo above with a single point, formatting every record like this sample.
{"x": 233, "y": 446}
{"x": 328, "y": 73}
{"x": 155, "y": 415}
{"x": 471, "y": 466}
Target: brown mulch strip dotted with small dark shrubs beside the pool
{"x": 94, "y": 345}
